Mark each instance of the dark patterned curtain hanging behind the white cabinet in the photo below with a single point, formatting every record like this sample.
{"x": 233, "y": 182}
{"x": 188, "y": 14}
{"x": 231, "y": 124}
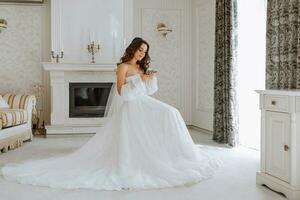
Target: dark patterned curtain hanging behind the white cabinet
{"x": 283, "y": 43}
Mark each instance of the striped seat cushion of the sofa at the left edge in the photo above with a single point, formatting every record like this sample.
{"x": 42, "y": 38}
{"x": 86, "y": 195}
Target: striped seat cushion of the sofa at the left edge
{"x": 13, "y": 117}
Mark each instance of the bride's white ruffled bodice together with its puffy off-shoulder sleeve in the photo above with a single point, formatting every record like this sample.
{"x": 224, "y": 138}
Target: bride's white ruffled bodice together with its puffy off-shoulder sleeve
{"x": 134, "y": 87}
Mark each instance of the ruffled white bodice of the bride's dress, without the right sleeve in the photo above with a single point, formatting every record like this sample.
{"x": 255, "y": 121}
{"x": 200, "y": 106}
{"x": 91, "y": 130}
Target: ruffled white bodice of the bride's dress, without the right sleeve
{"x": 132, "y": 89}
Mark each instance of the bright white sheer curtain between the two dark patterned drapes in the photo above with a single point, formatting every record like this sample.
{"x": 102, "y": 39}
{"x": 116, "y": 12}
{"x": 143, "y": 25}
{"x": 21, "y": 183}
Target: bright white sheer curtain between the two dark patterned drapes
{"x": 251, "y": 68}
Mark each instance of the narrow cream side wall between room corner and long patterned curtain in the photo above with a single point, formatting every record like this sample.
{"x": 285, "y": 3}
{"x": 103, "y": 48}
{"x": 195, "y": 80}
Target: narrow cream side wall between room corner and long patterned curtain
{"x": 203, "y": 34}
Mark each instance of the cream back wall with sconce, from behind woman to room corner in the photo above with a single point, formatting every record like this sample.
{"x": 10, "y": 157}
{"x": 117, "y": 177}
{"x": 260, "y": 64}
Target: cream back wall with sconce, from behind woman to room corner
{"x": 171, "y": 56}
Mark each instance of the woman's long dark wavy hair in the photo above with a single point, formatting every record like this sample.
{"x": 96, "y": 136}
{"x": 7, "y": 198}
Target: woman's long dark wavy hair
{"x": 135, "y": 44}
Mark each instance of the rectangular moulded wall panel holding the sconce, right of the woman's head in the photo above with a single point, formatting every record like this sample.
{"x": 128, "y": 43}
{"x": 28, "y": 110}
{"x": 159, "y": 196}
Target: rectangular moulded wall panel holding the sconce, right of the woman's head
{"x": 164, "y": 51}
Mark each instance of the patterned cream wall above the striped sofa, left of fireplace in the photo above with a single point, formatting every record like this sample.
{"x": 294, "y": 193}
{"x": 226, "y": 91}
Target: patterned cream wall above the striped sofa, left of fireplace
{"x": 24, "y": 45}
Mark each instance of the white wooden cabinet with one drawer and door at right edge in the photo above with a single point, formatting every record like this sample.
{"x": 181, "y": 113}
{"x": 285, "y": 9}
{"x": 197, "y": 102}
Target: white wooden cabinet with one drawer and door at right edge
{"x": 280, "y": 141}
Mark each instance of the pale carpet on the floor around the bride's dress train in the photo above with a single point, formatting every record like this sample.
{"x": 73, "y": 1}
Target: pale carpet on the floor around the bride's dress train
{"x": 235, "y": 180}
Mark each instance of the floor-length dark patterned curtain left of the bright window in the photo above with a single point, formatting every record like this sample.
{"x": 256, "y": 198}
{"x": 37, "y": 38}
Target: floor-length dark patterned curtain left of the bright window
{"x": 225, "y": 103}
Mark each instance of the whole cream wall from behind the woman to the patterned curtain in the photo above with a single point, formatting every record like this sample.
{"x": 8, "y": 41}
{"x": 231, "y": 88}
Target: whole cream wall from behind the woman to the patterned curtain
{"x": 185, "y": 60}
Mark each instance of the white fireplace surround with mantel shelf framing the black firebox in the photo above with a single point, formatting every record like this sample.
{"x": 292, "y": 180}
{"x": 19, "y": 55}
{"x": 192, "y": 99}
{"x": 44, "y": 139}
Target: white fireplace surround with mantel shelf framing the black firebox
{"x": 61, "y": 75}
